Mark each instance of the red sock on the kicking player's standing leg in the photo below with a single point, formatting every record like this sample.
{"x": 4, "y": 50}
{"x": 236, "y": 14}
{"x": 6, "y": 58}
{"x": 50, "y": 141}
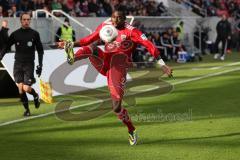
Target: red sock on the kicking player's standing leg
{"x": 124, "y": 117}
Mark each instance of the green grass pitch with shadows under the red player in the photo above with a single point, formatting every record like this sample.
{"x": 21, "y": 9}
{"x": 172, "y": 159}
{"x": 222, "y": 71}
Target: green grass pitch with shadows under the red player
{"x": 198, "y": 118}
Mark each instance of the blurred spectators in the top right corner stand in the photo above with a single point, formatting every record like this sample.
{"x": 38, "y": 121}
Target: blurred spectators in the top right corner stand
{"x": 214, "y": 7}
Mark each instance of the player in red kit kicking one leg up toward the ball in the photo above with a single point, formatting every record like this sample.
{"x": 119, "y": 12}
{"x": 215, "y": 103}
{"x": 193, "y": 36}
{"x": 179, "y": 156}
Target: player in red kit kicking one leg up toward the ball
{"x": 114, "y": 60}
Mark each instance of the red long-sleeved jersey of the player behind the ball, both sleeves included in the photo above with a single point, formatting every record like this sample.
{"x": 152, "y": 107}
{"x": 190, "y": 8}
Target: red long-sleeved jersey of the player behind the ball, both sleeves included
{"x": 126, "y": 41}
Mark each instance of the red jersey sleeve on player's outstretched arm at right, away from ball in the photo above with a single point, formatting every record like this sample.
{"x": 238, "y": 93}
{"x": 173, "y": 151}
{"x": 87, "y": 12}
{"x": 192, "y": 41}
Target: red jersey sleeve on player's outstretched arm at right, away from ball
{"x": 140, "y": 38}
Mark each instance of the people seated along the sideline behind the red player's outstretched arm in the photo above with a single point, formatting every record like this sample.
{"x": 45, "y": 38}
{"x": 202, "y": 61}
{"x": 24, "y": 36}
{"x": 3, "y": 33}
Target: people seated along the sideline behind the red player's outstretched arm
{"x": 170, "y": 42}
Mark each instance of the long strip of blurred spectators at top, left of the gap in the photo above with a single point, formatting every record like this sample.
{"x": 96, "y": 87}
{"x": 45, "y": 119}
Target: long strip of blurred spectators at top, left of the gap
{"x": 81, "y": 8}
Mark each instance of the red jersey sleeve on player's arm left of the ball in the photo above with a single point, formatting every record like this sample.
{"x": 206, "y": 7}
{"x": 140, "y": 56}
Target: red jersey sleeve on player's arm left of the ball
{"x": 91, "y": 38}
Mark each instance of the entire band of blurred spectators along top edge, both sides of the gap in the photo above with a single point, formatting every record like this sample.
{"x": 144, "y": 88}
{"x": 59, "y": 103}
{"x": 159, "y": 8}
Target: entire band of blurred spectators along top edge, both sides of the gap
{"x": 102, "y": 8}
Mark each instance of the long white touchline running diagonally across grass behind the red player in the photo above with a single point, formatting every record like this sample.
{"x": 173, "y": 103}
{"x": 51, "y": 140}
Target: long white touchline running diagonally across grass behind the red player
{"x": 96, "y": 102}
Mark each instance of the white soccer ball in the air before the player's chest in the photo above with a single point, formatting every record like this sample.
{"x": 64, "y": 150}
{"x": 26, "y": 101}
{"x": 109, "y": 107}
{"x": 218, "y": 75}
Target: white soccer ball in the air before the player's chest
{"x": 108, "y": 33}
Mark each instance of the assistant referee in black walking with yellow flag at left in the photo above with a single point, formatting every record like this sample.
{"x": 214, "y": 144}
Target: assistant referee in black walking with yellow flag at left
{"x": 26, "y": 41}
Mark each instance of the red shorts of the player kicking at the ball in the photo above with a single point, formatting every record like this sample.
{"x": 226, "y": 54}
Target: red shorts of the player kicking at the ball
{"x": 114, "y": 66}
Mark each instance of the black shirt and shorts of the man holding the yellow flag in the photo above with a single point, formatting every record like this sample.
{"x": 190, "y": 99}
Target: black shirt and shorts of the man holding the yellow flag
{"x": 26, "y": 42}
